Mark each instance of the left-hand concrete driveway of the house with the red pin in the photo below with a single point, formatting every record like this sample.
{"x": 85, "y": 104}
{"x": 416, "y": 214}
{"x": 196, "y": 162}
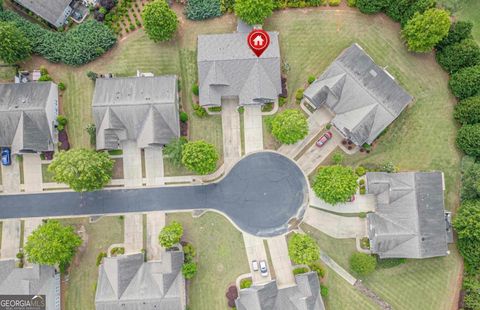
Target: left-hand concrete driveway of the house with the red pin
{"x": 232, "y": 149}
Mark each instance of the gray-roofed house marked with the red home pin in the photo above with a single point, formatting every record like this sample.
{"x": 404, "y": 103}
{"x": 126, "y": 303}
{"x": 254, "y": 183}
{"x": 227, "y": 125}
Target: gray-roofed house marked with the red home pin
{"x": 227, "y": 69}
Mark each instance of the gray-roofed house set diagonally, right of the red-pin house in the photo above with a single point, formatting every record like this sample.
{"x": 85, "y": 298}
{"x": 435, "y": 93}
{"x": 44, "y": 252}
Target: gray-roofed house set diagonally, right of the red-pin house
{"x": 364, "y": 98}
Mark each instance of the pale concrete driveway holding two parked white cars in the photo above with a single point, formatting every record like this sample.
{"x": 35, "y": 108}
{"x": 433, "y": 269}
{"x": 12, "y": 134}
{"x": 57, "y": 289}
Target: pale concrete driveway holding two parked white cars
{"x": 256, "y": 251}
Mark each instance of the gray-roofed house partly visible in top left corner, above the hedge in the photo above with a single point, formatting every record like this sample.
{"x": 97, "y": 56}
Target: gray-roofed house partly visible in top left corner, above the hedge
{"x": 55, "y": 12}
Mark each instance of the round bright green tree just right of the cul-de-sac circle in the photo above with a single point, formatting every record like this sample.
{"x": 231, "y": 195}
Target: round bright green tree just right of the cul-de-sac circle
{"x": 335, "y": 184}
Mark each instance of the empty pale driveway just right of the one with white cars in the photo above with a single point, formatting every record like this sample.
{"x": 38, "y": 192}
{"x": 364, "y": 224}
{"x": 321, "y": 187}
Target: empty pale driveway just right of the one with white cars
{"x": 281, "y": 261}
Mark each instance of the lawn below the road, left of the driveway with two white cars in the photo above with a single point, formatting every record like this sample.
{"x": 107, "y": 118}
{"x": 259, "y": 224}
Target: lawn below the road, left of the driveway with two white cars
{"x": 221, "y": 258}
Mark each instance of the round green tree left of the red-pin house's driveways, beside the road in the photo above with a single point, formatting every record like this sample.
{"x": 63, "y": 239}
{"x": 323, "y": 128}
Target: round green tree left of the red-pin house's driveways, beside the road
{"x": 200, "y": 156}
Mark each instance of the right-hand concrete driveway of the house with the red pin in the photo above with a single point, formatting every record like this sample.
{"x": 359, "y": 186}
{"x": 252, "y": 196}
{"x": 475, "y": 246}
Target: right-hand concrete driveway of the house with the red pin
{"x": 253, "y": 128}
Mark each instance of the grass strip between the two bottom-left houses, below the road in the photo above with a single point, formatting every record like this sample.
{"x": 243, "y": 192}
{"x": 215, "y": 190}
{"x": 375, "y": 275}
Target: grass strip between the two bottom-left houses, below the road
{"x": 82, "y": 279}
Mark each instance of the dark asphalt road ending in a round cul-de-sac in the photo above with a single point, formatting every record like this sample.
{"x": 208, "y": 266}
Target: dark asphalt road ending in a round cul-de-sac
{"x": 261, "y": 194}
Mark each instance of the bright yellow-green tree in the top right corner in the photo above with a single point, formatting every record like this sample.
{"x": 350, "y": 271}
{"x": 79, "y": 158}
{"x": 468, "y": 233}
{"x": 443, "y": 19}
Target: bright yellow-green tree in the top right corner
{"x": 424, "y": 31}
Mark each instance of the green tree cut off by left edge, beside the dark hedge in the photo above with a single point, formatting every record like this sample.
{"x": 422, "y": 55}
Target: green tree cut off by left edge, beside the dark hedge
{"x": 14, "y": 46}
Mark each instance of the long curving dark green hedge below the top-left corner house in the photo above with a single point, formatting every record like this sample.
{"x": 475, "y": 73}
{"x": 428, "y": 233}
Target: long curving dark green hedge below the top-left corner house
{"x": 77, "y": 46}
